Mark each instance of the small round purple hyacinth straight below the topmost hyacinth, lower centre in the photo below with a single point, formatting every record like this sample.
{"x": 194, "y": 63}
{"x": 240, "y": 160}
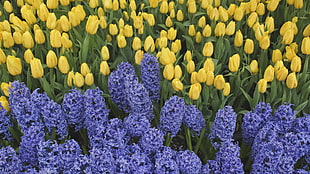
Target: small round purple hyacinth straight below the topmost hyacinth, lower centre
{"x": 151, "y": 140}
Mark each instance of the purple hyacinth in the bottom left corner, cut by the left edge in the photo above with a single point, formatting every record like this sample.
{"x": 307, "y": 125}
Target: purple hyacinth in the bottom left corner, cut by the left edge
{"x": 9, "y": 161}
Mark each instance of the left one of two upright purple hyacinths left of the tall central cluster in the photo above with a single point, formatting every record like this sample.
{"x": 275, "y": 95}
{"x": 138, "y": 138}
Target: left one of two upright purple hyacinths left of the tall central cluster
{"x": 73, "y": 108}
